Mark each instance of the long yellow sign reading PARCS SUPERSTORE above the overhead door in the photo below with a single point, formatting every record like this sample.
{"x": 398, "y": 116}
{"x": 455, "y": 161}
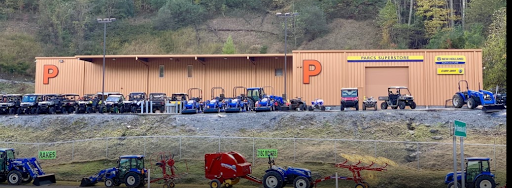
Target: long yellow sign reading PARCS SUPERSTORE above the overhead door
{"x": 393, "y": 58}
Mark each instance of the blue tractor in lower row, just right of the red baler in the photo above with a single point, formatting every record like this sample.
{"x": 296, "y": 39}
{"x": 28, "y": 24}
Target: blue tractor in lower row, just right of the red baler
{"x": 278, "y": 177}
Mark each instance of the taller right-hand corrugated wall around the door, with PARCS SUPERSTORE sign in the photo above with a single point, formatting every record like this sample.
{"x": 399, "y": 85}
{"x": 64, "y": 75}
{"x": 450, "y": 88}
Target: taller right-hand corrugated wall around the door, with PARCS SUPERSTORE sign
{"x": 426, "y": 86}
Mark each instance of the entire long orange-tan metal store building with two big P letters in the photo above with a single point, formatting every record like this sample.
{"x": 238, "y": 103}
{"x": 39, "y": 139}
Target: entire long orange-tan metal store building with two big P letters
{"x": 431, "y": 75}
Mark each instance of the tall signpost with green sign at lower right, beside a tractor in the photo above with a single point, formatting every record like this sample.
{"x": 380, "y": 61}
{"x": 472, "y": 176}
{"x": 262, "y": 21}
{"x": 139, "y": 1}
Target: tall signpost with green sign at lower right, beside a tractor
{"x": 459, "y": 130}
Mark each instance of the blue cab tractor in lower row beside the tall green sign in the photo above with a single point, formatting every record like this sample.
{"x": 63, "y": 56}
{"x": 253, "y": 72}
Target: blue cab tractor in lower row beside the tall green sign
{"x": 477, "y": 174}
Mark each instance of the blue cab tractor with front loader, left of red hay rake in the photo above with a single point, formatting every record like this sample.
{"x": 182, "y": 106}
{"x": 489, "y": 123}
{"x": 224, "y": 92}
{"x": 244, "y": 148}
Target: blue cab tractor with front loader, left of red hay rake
{"x": 130, "y": 170}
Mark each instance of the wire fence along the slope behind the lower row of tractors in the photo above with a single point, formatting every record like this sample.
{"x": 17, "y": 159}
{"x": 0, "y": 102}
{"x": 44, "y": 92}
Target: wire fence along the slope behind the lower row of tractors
{"x": 417, "y": 155}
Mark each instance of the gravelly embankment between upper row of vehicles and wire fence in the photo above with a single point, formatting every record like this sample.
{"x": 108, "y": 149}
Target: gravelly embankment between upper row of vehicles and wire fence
{"x": 397, "y": 125}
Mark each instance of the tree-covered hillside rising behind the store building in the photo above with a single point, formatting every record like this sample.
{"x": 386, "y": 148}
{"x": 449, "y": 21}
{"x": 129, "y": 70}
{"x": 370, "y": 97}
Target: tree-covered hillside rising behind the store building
{"x": 30, "y": 28}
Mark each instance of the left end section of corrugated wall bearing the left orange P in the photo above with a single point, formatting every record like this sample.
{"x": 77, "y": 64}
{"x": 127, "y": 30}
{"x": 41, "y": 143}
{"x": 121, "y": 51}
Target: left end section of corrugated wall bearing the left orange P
{"x": 69, "y": 79}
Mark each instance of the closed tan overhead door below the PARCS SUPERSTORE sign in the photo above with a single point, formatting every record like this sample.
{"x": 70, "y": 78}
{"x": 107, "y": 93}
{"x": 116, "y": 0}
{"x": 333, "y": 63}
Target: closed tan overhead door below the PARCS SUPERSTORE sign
{"x": 377, "y": 80}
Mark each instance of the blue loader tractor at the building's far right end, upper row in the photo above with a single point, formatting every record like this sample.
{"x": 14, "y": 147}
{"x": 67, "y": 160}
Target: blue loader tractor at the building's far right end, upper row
{"x": 475, "y": 98}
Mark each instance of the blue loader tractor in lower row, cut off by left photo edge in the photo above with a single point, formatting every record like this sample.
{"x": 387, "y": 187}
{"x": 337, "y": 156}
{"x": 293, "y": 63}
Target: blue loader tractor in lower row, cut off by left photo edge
{"x": 22, "y": 170}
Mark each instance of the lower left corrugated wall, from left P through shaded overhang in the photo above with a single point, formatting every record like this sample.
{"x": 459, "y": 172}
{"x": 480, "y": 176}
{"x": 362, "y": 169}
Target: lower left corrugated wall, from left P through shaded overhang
{"x": 127, "y": 75}
